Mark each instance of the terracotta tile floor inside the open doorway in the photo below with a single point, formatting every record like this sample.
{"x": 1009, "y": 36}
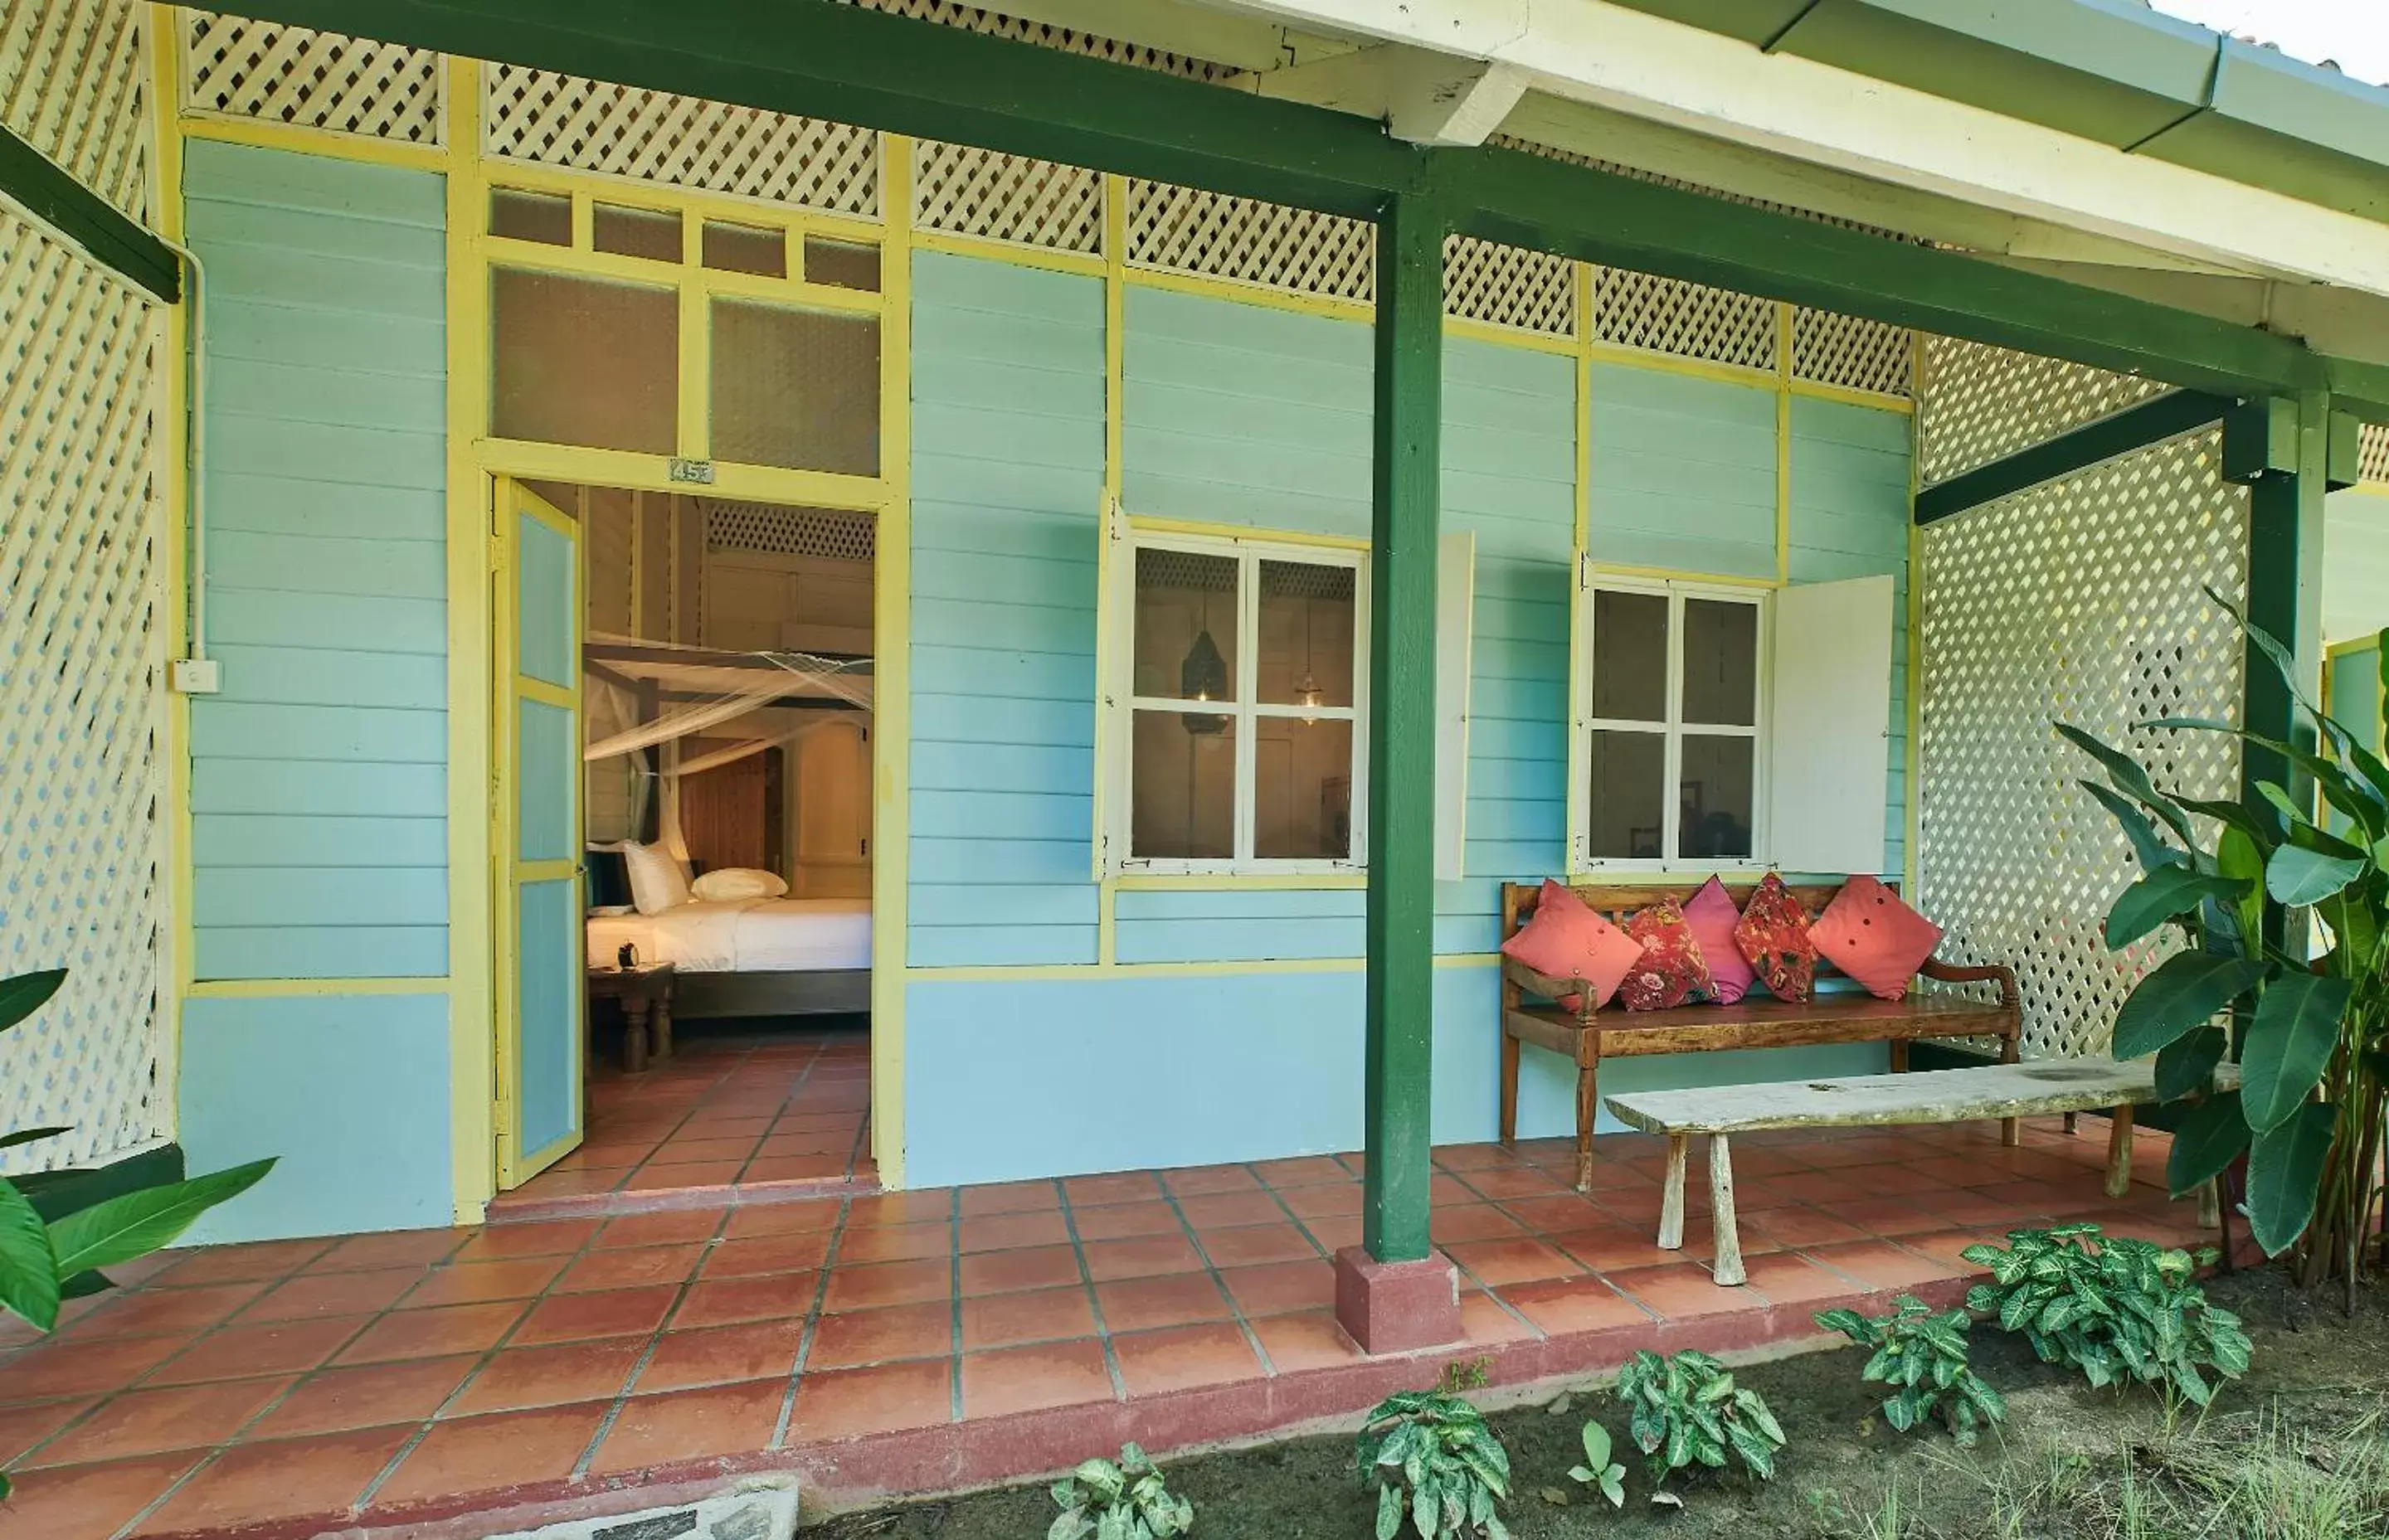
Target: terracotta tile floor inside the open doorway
{"x": 727, "y": 1119}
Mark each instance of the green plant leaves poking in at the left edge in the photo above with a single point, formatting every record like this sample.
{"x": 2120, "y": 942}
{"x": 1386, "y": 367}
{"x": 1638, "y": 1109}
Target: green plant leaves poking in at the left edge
{"x": 47, "y": 1262}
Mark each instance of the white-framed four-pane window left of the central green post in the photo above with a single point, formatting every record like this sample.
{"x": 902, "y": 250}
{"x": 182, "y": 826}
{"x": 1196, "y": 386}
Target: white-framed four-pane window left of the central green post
{"x": 1239, "y": 706}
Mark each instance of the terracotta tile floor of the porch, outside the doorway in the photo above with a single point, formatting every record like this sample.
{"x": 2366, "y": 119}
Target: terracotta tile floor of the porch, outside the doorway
{"x": 933, "y": 1338}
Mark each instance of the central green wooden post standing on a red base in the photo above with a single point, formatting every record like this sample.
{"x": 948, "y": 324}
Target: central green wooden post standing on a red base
{"x": 1404, "y": 725}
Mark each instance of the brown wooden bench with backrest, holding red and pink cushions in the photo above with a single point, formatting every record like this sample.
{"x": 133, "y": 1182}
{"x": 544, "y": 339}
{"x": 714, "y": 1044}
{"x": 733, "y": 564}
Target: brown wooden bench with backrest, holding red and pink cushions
{"x": 1530, "y": 1011}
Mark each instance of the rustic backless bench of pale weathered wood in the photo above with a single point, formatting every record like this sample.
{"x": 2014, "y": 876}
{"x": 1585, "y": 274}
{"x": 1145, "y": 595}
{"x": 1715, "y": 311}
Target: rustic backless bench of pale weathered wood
{"x": 2018, "y": 1090}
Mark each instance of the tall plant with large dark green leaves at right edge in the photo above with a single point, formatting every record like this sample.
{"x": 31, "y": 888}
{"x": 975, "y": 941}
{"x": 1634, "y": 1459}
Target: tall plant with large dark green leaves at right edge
{"x": 2311, "y": 1035}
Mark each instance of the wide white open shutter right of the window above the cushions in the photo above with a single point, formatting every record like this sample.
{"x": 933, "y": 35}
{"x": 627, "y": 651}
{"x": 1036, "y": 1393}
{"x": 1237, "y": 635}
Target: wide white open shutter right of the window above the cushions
{"x": 1831, "y": 727}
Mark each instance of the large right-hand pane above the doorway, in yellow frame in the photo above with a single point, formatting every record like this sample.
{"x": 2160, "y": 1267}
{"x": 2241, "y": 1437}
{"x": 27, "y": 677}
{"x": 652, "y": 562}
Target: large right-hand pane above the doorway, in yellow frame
{"x": 797, "y": 388}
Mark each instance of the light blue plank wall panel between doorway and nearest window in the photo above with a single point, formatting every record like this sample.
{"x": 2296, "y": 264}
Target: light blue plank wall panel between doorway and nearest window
{"x": 1007, "y": 515}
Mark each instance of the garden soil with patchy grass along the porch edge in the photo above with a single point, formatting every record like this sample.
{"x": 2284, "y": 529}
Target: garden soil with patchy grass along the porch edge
{"x": 2056, "y": 1470}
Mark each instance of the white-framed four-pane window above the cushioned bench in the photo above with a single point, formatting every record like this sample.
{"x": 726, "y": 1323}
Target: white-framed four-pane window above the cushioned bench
{"x": 1671, "y": 725}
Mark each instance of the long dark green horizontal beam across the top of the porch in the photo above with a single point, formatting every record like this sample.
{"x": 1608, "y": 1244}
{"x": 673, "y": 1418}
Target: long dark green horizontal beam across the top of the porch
{"x": 916, "y": 78}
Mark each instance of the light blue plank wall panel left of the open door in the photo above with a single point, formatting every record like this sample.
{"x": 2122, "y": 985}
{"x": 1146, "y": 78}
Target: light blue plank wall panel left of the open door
{"x": 319, "y": 777}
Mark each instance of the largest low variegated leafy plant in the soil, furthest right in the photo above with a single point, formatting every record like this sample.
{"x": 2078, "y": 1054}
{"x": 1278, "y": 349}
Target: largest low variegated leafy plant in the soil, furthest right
{"x": 2118, "y": 1310}
